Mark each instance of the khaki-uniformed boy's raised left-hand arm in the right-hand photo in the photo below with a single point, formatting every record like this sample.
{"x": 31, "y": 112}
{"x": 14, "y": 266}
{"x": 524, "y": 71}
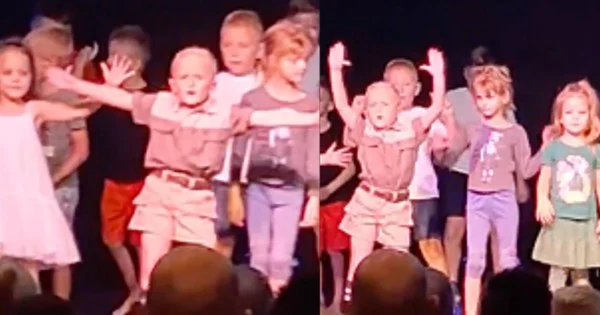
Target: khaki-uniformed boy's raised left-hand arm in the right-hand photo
{"x": 338, "y": 88}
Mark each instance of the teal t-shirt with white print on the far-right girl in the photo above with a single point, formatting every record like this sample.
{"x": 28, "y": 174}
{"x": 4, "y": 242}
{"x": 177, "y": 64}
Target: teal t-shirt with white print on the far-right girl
{"x": 573, "y": 179}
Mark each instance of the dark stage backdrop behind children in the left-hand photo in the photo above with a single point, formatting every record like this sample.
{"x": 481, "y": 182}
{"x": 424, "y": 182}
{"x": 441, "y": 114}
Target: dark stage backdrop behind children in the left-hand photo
{"x": 172, "y": 25}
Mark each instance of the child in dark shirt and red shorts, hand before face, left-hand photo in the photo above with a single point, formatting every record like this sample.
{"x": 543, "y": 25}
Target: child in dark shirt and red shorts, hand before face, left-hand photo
{"x": 122, "y": 144}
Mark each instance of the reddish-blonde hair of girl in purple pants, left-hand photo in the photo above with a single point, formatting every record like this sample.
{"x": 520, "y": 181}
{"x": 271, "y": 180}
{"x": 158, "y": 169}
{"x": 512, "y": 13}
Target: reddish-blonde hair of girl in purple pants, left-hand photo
{"x": 282, "y": 39}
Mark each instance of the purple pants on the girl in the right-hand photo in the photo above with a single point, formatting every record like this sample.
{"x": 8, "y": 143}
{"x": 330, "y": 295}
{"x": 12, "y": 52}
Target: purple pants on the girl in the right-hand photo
{"x": 484, "y": 210}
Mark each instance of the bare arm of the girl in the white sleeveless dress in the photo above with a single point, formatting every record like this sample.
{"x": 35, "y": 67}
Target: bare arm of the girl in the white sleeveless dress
{"x": 52, "y": 111}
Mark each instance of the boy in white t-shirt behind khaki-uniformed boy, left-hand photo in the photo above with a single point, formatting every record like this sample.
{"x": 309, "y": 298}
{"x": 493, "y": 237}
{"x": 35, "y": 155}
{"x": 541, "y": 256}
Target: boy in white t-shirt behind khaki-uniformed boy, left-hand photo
{"x": 241, "y": 35}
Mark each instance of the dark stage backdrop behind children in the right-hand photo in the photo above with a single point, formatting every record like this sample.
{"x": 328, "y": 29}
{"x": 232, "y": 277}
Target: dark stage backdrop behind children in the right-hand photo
{"x": 545, "y": 44}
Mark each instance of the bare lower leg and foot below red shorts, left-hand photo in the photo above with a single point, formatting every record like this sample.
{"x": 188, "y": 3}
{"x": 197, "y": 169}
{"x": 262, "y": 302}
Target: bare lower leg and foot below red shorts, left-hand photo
{"x": 125, "y": 262}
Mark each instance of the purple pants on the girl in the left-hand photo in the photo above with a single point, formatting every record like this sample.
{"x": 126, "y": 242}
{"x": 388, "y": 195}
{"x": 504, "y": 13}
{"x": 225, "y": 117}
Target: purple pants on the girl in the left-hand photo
{"x": 272, "y": 217}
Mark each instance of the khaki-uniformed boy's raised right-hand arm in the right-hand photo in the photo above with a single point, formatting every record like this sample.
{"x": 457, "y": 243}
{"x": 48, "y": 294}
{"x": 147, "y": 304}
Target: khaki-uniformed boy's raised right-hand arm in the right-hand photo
{"x": 436, "y": 67}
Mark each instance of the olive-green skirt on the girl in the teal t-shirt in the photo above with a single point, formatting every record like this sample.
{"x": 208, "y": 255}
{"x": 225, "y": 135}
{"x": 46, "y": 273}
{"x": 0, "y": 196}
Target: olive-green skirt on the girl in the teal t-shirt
{"x": 568, "y": 244}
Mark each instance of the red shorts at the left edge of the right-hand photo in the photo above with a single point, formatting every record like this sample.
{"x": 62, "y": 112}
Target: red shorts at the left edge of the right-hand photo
{"x": 331, "y": 238}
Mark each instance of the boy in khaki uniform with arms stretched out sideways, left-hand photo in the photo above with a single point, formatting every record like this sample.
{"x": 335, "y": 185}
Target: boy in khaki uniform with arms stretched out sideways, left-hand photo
{"x": 188, "y": 138}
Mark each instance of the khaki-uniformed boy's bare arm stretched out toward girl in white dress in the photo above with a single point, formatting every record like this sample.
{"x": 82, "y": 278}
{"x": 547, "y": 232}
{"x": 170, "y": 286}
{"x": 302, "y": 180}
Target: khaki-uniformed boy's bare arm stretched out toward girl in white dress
{"x": 105, "y": 94}
